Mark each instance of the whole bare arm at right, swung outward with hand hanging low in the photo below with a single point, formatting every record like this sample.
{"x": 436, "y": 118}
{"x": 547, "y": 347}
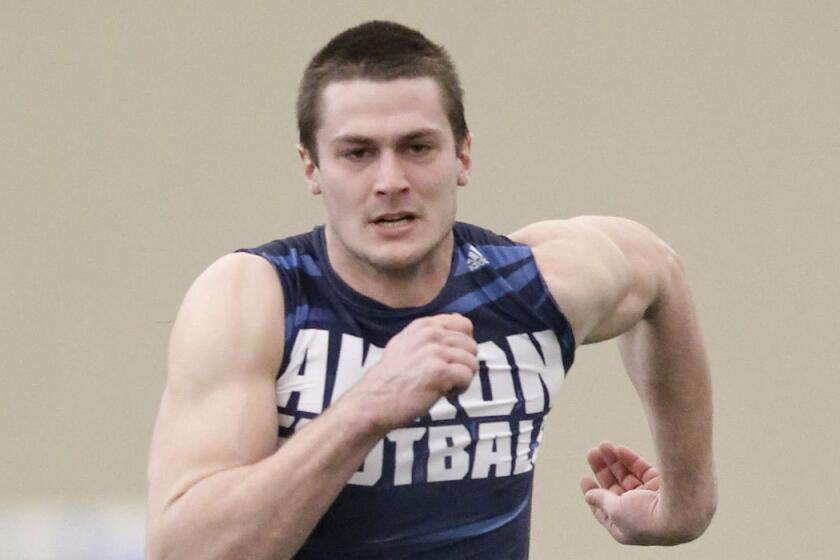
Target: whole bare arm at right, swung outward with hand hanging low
{"x": 614, "y": 278}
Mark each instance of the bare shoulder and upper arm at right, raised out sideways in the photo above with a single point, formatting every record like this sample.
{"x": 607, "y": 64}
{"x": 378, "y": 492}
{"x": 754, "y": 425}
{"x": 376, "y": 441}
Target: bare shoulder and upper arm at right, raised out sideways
{"x": 595, "y": 265}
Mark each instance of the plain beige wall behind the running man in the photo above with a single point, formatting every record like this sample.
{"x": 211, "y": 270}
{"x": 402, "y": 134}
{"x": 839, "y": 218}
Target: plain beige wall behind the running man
{"x": 142, "y": 140}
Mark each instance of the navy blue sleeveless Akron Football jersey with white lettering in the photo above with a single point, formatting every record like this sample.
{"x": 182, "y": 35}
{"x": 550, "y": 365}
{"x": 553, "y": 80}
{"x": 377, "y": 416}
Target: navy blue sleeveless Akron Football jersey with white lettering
{"x": 456, "y": 483}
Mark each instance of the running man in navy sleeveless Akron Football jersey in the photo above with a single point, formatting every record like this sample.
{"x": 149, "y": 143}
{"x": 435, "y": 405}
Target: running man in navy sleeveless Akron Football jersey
{"x": 407, "y": 360}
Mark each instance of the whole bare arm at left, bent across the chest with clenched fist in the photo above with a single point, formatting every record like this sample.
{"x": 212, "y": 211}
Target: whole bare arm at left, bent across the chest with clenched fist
{"x": 219, "y": 487}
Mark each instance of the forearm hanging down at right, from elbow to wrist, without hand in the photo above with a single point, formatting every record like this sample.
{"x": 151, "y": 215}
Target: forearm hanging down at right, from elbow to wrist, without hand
{"x": 665, "y": 357}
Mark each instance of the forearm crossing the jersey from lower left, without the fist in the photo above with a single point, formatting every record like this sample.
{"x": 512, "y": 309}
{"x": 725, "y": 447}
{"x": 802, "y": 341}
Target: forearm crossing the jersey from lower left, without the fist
{"x": 267, "y": 509}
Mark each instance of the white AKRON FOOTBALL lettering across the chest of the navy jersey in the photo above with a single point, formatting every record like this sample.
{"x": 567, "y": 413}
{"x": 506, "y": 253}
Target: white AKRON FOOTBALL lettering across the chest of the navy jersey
{"x": 450, "y": 450}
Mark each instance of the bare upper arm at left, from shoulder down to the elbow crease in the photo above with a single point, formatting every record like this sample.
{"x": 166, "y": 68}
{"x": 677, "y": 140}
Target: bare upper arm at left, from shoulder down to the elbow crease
{"x": 218, "y": 410}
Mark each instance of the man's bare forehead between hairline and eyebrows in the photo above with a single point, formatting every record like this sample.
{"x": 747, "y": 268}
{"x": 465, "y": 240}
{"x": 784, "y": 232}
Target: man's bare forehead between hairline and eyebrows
{"x": 381, "y": 109}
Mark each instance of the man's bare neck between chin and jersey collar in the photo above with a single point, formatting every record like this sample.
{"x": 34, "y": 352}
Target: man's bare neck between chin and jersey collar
{"x": 412, "y": 285}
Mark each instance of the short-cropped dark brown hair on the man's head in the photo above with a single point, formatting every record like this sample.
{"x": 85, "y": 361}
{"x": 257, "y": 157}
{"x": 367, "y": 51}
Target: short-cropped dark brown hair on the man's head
{"x": 377, "y": 50}
